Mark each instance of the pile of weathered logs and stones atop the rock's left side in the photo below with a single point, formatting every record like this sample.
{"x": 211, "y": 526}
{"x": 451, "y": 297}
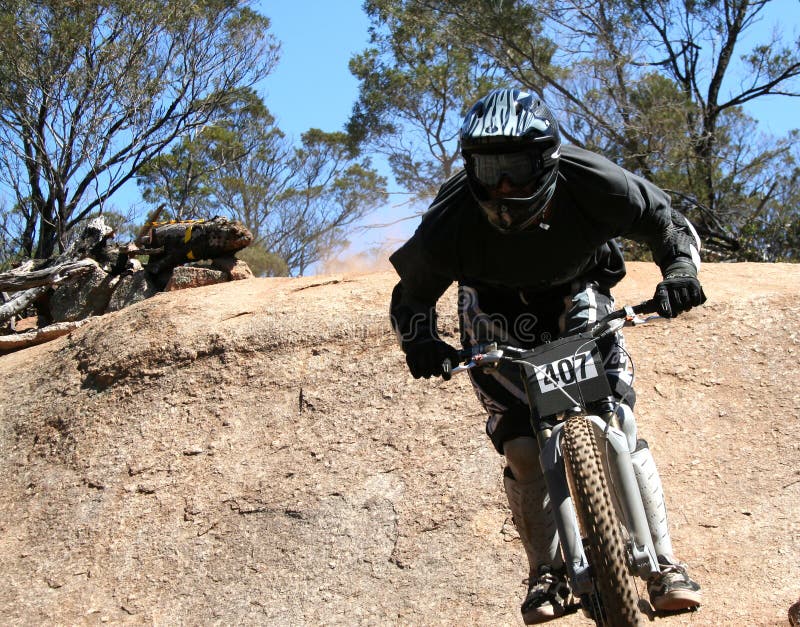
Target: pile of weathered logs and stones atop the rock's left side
{"x": 51, "y": 284}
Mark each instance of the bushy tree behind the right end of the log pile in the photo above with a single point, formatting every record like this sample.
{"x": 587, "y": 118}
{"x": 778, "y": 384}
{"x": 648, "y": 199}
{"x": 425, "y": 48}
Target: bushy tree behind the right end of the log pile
{"x": 296, "y": 201}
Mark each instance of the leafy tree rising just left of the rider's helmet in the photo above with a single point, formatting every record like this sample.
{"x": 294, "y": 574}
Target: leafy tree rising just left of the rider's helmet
{"x": 416, "y": 84}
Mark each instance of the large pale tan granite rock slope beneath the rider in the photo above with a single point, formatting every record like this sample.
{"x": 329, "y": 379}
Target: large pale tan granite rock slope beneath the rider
{"x": 256, "y": 453}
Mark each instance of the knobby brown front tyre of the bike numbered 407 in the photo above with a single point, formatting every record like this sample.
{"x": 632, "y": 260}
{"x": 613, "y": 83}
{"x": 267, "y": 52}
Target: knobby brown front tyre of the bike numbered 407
{"x": 615, "y": 599}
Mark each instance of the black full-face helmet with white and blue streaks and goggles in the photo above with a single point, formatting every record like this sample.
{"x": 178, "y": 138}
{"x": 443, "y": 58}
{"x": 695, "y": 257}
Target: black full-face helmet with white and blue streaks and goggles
{"x": 511, "y": 147}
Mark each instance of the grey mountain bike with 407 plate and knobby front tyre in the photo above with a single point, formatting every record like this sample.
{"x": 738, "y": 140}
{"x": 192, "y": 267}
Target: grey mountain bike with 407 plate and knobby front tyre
{"x": 603, "y": 532}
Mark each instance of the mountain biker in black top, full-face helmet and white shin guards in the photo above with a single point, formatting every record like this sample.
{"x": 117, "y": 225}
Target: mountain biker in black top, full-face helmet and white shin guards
{"x": 528, "y": 230}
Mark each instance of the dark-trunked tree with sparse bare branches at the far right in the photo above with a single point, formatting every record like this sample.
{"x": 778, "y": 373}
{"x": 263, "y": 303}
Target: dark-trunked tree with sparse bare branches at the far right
{"x": 718, "y": 157}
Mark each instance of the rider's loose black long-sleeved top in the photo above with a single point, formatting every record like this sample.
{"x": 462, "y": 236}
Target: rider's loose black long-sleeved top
{"x": 595, "y": 201}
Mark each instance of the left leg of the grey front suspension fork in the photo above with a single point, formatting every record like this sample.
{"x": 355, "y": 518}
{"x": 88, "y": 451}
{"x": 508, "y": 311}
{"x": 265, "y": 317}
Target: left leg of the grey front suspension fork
{"x": 569, "y": 533}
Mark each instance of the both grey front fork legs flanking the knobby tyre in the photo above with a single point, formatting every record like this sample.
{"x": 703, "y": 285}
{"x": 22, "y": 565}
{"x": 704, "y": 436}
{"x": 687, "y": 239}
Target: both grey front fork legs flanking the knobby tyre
{"x": 624, "y": 488}
